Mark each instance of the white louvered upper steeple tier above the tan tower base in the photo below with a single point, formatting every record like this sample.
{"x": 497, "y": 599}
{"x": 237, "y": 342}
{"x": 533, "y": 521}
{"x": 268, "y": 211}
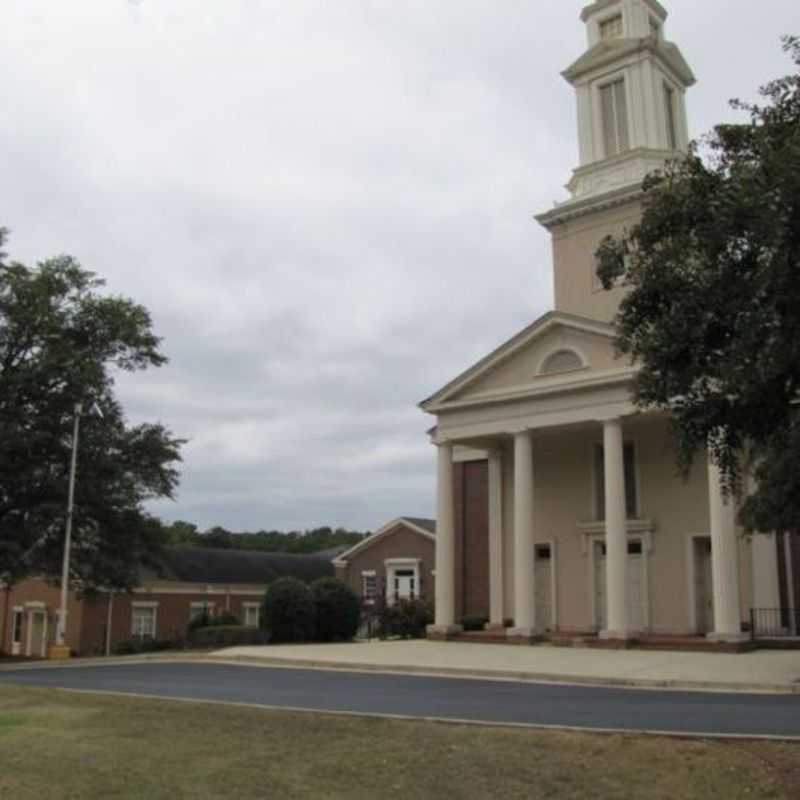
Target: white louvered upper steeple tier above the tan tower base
{"x": 630, "y": 86}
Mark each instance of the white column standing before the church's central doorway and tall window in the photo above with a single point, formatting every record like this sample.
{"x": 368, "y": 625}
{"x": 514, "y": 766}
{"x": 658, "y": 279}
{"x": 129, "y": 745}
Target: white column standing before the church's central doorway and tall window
{"x": 617, "y": 624}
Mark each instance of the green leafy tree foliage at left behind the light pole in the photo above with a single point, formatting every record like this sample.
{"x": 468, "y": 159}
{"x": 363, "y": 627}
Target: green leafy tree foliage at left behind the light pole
{"x": 61, "y": 341}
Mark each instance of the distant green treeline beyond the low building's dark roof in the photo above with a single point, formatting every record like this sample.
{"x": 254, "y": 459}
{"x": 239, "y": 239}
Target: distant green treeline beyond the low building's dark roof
{"x": 310, "y": 541}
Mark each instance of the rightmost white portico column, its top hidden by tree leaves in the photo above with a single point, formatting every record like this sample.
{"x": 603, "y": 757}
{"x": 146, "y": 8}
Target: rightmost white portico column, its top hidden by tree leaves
{"x": 724, "y": 559}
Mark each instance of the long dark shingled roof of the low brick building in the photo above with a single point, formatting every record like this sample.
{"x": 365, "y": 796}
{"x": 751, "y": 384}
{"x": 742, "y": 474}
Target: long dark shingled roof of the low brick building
{"x": 217, "y": 565}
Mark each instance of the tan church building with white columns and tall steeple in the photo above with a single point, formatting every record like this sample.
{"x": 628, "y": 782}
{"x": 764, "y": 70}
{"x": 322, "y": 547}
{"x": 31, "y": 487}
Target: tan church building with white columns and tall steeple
{"x": 559, "y": 510}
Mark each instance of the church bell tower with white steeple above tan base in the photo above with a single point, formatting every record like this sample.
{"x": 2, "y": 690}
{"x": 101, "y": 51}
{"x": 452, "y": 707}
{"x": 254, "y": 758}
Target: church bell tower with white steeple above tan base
{"x": 630, "y": 88}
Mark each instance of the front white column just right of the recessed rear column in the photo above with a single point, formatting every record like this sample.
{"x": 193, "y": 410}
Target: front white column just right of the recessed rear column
{"x": 524, "y": 598}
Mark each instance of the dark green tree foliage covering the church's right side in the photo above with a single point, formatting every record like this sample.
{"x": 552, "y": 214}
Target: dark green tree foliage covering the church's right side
{"x": 712, "y": 313}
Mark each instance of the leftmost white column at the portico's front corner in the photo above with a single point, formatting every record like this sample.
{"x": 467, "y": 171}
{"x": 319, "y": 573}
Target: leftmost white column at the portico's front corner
{"x": 445, "y": 544}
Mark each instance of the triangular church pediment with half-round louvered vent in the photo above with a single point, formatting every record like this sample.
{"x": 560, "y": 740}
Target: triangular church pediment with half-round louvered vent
{"x": 554, "y": 348}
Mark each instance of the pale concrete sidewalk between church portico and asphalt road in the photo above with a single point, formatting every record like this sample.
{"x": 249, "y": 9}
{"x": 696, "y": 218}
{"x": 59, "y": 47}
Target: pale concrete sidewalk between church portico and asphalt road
{"x": 759, "y": 671}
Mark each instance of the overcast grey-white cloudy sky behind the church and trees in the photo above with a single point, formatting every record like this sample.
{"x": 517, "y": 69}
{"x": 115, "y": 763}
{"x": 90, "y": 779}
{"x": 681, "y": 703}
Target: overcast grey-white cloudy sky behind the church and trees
{"x": 326, "y": 206}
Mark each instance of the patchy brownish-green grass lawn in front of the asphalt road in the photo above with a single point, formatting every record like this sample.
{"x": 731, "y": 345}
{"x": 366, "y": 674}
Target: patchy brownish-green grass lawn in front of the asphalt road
{"x": 56, "y": 744}
